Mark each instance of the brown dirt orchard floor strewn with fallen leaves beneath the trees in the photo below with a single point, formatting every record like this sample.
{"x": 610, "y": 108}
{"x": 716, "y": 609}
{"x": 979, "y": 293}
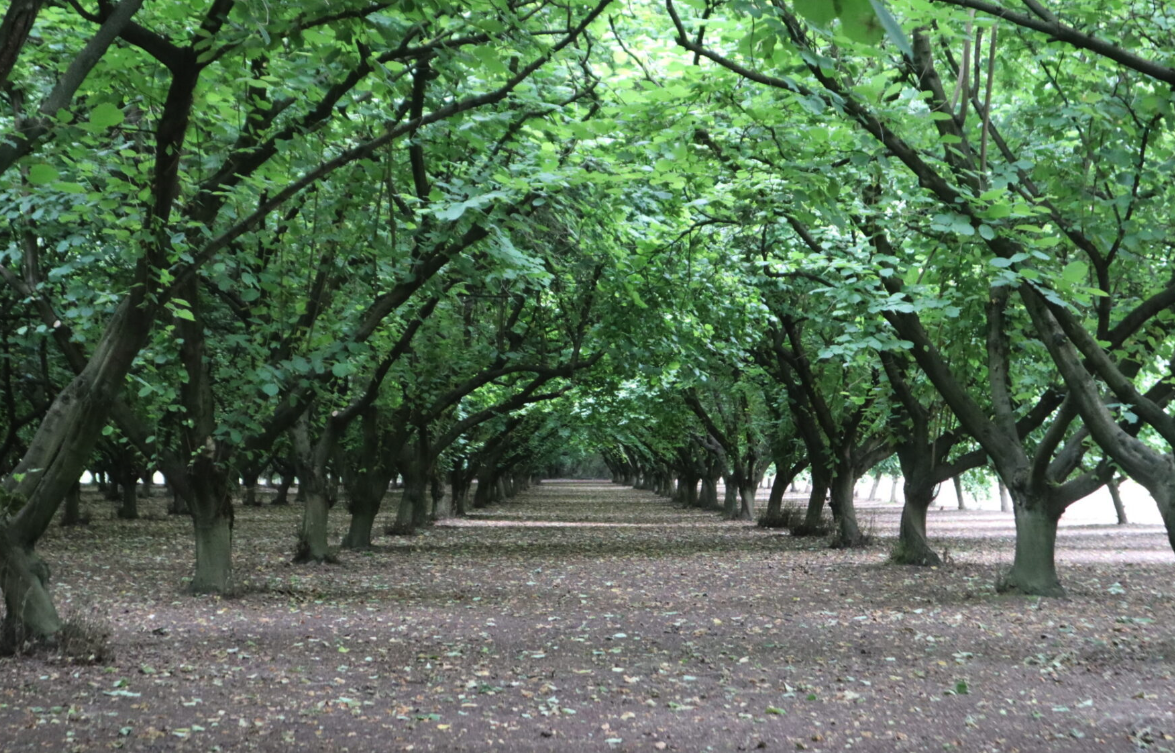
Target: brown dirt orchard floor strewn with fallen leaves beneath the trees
{"x": 589, "y": 617}
